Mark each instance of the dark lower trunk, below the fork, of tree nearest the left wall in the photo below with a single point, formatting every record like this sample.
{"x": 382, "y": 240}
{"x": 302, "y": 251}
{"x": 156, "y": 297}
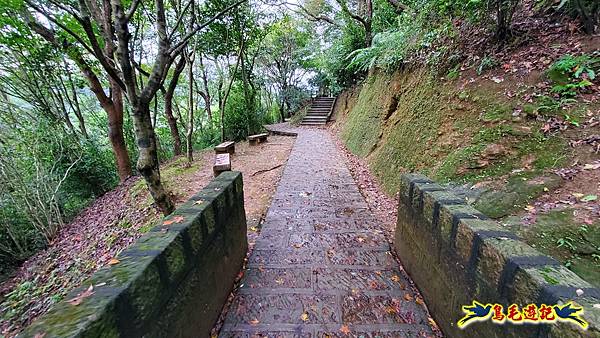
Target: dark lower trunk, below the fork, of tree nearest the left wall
{"x": 147, "y": 163}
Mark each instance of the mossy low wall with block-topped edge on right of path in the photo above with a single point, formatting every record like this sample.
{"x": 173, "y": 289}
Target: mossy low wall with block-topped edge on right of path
{"x": 456, "y": 255}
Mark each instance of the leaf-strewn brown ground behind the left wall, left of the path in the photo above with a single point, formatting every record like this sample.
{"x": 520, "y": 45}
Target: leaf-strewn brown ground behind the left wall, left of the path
{"x": 113, "y": 222}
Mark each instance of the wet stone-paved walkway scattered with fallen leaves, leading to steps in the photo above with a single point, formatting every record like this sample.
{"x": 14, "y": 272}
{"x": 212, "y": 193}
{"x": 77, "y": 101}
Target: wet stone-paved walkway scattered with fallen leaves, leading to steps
{"x": 321, "y": 265}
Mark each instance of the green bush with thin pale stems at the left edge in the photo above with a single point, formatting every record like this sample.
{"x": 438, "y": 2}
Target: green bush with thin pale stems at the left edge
{"x": 48, "y": 176}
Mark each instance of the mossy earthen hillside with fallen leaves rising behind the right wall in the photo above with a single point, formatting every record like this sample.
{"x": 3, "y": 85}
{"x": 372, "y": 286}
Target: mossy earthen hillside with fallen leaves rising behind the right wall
{"x": 503, "y": 138}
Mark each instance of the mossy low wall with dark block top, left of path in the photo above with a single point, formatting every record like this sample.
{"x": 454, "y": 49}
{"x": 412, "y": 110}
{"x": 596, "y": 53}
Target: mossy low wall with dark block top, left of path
{"x": 172, "y": 282}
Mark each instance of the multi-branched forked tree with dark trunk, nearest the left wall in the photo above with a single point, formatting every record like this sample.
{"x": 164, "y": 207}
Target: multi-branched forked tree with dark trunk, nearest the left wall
{"x": 123, "y": 72}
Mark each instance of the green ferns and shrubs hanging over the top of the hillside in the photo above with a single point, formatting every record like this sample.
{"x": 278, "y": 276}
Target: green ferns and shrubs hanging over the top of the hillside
{"x": 423, "y": 33}
